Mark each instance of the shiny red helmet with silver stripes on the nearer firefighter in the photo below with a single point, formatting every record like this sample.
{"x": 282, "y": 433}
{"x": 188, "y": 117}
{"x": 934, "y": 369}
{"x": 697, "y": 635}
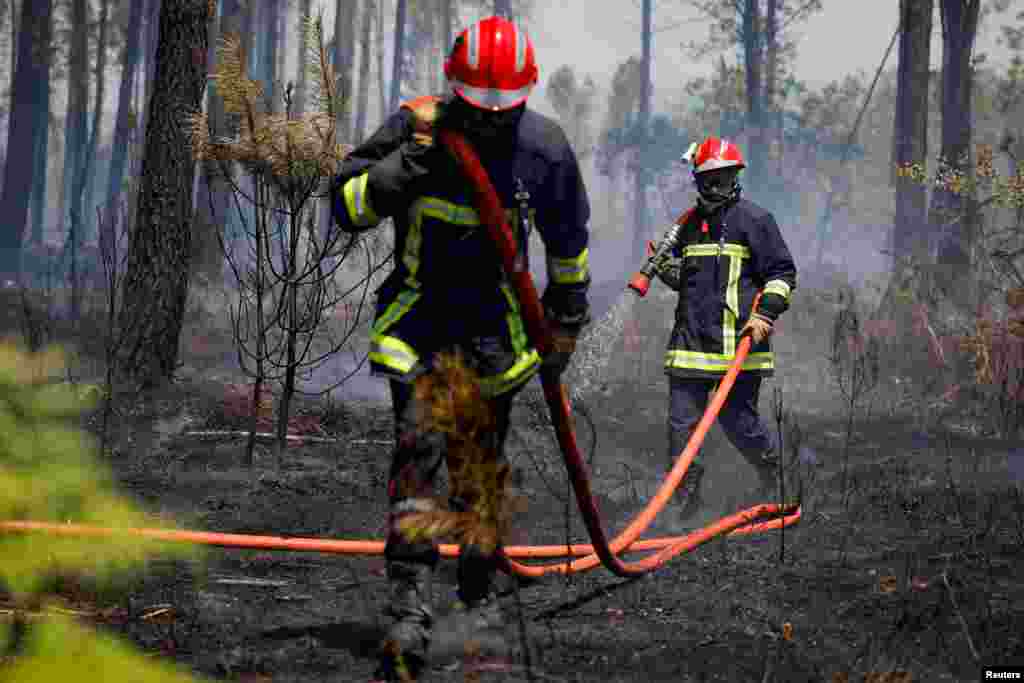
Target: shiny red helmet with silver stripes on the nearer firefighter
{"x": 492, "y": 65}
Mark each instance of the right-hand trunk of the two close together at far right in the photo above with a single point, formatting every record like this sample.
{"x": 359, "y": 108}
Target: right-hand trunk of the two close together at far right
{"x": 951, "y": 210}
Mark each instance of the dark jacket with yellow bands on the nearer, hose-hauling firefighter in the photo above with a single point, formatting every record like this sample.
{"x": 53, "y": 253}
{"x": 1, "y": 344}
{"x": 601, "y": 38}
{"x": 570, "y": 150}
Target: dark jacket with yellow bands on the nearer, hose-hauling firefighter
{"x": 448, "y": 288}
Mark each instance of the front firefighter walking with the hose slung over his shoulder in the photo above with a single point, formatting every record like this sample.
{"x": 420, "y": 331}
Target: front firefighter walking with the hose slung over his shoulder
{"x": 448, "y": 291}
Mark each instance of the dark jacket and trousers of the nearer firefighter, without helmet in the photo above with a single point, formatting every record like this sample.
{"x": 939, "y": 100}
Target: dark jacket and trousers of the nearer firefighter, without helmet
{"x": 448, "y": 291}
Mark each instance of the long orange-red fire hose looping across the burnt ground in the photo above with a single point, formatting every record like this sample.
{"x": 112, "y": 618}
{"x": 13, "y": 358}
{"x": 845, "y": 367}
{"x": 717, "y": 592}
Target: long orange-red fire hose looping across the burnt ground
{"x": 755, "y": 520}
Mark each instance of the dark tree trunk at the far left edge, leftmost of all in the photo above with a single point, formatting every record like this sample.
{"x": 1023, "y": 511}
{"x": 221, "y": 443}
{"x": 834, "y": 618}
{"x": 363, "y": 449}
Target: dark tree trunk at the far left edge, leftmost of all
{"x": 33, "y": 68}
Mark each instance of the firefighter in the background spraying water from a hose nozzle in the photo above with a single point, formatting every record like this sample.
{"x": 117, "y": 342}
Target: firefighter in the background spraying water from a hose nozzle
{"x": 729, "y": 249}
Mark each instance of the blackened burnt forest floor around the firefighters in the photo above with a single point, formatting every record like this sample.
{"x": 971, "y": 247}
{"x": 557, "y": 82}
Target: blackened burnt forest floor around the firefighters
{"x": 918, "y": 575}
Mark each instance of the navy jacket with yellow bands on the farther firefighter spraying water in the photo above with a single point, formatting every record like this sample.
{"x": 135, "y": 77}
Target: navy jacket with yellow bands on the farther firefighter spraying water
{"x": 718, "y": 267}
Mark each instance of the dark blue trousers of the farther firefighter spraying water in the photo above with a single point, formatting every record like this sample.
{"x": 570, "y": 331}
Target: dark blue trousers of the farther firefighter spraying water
{"x": 740, "y": 418}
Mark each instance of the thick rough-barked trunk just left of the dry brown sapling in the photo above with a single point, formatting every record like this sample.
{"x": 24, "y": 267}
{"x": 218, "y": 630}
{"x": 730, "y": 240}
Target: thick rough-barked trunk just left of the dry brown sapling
{"x": 158, "y": 261}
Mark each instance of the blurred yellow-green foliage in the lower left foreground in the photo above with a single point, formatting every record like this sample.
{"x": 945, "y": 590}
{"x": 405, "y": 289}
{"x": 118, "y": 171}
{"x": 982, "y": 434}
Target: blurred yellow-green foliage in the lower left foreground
{"x": 50, "y": 474}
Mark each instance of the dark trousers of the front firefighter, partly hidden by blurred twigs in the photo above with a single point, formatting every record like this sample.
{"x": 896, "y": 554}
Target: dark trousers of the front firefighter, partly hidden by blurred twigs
{"x": 412, "y": 486}
